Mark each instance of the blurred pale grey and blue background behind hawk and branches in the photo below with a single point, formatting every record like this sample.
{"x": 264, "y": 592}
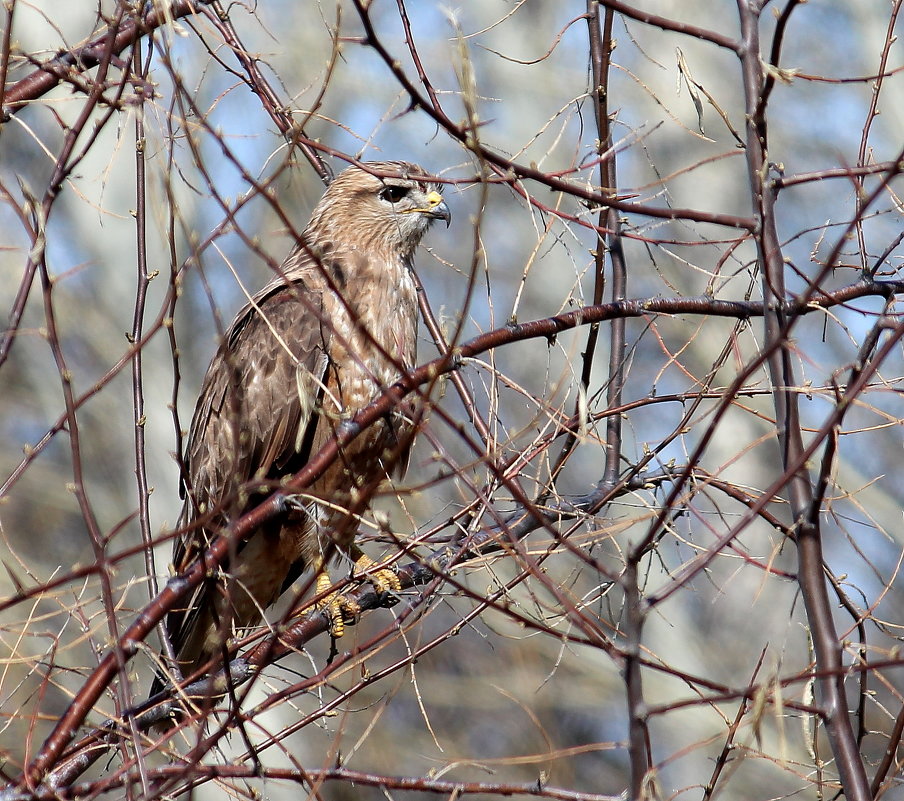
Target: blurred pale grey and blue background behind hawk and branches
{"x": 518, "y": 694}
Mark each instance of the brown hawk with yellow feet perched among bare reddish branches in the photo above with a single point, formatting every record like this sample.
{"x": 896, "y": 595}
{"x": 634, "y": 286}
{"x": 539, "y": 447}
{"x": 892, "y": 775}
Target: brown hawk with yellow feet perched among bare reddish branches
{"x": 323, "y": 339}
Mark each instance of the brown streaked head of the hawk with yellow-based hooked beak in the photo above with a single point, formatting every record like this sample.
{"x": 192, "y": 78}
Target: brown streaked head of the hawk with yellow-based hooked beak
{"x": 381, "y": 204}
